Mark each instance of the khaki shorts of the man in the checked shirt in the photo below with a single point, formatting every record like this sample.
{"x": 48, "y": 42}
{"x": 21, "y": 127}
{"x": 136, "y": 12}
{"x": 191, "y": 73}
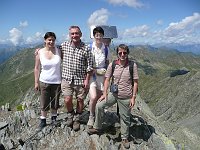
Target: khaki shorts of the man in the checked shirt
{"x": 69, "y": 89}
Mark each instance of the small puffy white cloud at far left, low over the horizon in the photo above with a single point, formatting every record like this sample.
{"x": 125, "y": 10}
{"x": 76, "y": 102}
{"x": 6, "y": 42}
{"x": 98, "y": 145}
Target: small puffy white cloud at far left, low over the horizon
{"x": 16, "y": 36}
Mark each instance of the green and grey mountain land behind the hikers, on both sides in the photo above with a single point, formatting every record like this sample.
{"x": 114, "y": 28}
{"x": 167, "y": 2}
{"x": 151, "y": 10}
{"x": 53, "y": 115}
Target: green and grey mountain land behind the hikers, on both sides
{"x": 172, "y": 100}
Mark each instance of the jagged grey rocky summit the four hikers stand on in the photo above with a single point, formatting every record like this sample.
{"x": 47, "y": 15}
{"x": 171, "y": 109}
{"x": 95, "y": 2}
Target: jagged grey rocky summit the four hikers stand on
{"x": 20, "y": 131}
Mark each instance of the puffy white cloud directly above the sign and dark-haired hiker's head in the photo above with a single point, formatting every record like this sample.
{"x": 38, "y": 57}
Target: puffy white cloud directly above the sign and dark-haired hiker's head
{"x": 99, "y": 17}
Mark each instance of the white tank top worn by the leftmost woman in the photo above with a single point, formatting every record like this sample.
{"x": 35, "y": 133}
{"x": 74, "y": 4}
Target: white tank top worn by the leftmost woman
{"x": 50, "y": 68}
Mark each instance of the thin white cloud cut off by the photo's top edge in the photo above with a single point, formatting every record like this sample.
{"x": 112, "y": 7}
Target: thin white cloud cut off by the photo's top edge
{"x": 130, "y": 3}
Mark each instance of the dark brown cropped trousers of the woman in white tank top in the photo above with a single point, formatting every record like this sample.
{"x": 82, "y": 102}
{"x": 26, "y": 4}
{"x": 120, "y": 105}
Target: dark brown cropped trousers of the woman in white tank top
{"x": 50, "y": 94}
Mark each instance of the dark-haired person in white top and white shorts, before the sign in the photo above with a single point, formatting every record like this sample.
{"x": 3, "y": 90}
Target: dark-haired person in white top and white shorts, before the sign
{"x": 101, "y": 54}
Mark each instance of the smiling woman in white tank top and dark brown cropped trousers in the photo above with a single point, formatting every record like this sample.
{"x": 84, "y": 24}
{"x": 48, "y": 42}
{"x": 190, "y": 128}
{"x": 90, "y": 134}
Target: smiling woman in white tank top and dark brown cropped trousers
{"x": 47, "y": 74}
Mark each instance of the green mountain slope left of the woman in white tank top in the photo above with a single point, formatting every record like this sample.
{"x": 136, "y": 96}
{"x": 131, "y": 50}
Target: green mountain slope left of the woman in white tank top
{"x": 16, "y": 76}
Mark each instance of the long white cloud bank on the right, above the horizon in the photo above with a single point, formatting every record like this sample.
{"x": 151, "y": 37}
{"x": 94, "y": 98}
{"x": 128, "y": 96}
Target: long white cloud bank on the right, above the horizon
{"x": 186, "y": 31}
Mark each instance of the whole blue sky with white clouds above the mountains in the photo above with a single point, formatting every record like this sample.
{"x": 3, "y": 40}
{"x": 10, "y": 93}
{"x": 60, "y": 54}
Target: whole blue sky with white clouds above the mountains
{"x": 137, "y": 21}
